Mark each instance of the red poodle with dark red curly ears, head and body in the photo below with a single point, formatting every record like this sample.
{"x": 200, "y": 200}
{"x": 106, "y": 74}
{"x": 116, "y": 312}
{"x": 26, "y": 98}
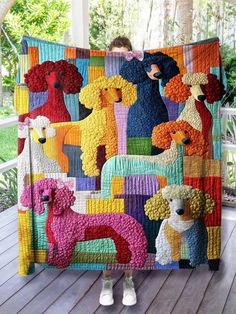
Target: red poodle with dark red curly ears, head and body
{"x": 56, "y": 78}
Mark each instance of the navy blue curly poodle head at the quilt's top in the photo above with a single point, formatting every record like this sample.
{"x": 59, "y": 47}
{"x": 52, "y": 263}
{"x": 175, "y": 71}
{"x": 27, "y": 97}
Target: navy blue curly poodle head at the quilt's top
{"x": 154, "y": 66}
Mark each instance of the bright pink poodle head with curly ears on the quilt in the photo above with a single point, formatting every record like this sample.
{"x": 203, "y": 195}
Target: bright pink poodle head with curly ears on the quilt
{"x": 46, "y": 191}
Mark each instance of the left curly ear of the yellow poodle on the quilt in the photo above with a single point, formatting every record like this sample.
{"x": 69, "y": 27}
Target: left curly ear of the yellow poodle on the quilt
{"x": 90, "y": 96}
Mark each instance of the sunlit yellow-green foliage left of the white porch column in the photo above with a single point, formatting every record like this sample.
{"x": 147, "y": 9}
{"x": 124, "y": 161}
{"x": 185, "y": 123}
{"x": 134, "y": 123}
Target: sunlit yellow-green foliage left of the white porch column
{"x": 47, "y": 19}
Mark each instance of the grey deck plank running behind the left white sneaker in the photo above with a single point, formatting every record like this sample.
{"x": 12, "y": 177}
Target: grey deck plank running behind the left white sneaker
{"x": 90, "y": 302}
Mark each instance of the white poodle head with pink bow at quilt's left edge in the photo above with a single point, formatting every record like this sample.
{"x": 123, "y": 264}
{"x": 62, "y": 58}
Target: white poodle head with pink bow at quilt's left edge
{"x": 38, "y": 128}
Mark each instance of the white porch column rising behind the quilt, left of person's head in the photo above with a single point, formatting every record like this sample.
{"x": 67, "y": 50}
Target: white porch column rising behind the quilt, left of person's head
{"x": 80, "y": 23}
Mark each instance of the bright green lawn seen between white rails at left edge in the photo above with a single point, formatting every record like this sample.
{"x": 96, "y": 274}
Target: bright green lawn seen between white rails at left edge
{"x": 8, "y": 143}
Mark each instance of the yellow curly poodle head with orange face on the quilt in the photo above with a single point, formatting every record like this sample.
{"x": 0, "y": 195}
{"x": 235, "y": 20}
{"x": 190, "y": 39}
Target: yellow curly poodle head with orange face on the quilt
{"x": 105, "y": 91}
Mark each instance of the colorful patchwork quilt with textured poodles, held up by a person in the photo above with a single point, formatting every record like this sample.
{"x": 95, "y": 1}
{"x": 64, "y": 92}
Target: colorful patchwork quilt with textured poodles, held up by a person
{"x": 119, "y": 162}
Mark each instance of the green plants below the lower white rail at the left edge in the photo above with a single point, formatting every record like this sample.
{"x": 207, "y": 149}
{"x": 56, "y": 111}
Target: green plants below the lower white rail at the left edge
{"x": 8, "y": 188}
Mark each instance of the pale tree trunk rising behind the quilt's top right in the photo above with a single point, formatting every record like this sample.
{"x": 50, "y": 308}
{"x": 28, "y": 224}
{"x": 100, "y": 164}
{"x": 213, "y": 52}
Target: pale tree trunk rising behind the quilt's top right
{"x": 184, "y": 19}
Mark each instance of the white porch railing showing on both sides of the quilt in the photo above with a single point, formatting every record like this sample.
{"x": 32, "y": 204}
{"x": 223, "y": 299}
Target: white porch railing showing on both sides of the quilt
{"x": 14, "y": 120}
